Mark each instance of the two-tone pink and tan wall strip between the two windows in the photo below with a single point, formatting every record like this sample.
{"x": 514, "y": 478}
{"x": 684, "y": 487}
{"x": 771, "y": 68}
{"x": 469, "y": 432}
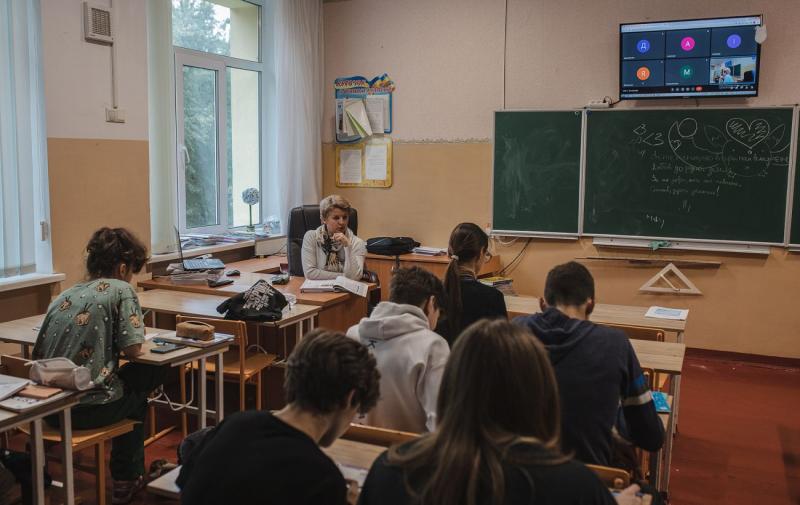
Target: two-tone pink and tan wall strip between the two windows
{"x": 98, "y": 171}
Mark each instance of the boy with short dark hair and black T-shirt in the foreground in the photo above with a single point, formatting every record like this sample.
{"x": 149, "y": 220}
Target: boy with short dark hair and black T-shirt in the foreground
{"x": 256, "y": 457}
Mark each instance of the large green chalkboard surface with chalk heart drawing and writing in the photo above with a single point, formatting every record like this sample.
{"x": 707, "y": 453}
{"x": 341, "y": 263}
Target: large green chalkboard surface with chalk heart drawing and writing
{"x": 707, "y": 174}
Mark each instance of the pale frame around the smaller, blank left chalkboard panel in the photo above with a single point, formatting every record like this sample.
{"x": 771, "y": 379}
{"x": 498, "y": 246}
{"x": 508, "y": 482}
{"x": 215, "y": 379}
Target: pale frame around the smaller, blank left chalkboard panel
{"x": 581, "y": 172}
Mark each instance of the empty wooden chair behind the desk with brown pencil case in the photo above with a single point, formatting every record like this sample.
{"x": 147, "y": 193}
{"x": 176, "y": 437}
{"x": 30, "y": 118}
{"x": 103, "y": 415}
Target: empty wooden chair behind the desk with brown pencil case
{"x": 238, "y": 365}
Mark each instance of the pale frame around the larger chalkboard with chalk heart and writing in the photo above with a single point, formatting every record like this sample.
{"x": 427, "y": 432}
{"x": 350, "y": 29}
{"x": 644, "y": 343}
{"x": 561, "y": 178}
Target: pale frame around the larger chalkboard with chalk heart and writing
{"x": 711, "y": 242}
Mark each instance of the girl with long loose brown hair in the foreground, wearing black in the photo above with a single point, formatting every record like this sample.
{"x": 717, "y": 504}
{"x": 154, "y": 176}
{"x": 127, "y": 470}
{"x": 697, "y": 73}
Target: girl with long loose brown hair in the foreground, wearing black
{"x": 498, "y": 434}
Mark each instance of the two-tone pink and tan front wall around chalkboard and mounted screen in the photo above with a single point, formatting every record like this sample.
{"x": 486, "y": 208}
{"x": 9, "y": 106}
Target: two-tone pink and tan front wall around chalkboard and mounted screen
{"x": 446, "y": 58}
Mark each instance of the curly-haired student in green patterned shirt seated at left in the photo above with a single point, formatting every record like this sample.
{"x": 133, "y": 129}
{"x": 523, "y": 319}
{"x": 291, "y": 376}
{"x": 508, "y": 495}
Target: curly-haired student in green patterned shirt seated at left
{"x": 91, "y": 323}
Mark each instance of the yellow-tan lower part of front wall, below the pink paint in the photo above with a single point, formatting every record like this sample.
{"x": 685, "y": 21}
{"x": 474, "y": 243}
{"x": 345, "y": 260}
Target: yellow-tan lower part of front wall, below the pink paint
{"x": 748, "y": 305}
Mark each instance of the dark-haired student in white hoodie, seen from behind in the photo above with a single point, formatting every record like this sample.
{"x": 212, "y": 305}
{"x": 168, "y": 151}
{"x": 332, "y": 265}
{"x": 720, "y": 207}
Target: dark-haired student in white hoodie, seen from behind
{"x": 410, "y": 355}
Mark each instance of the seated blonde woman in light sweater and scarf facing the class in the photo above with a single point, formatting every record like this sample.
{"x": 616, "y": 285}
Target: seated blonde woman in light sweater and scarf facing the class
{"x": 333, "y": 249}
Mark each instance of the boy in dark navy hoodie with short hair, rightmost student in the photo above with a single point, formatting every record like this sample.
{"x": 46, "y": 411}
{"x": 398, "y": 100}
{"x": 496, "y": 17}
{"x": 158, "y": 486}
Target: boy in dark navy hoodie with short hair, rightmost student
{"x": 596, "y": 368}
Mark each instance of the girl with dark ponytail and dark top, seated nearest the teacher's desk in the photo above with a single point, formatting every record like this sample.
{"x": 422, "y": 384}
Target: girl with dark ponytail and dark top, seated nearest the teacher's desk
{"x": 467, "y": 299}
